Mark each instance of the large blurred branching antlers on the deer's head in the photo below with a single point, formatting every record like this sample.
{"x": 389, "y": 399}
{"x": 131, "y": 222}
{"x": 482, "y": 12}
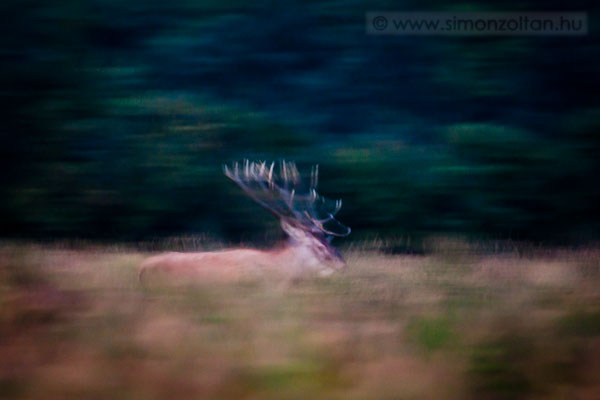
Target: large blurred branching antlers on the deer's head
{"x": 284, "y": 195}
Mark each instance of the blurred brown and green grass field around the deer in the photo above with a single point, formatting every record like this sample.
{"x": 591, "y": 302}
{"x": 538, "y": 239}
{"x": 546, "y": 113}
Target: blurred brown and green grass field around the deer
{"x": 456, "y": 323}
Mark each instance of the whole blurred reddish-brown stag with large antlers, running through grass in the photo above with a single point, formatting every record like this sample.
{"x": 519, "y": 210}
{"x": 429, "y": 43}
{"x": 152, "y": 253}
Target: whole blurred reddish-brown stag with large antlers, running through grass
{"x": 307, "y": 251}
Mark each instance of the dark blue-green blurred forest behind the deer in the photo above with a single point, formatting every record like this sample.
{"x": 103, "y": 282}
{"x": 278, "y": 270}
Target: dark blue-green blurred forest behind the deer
{"x": 118, "y": 115}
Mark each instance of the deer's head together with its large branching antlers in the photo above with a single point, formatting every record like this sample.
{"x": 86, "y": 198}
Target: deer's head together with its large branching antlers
{"x": 305, "y": 216}
